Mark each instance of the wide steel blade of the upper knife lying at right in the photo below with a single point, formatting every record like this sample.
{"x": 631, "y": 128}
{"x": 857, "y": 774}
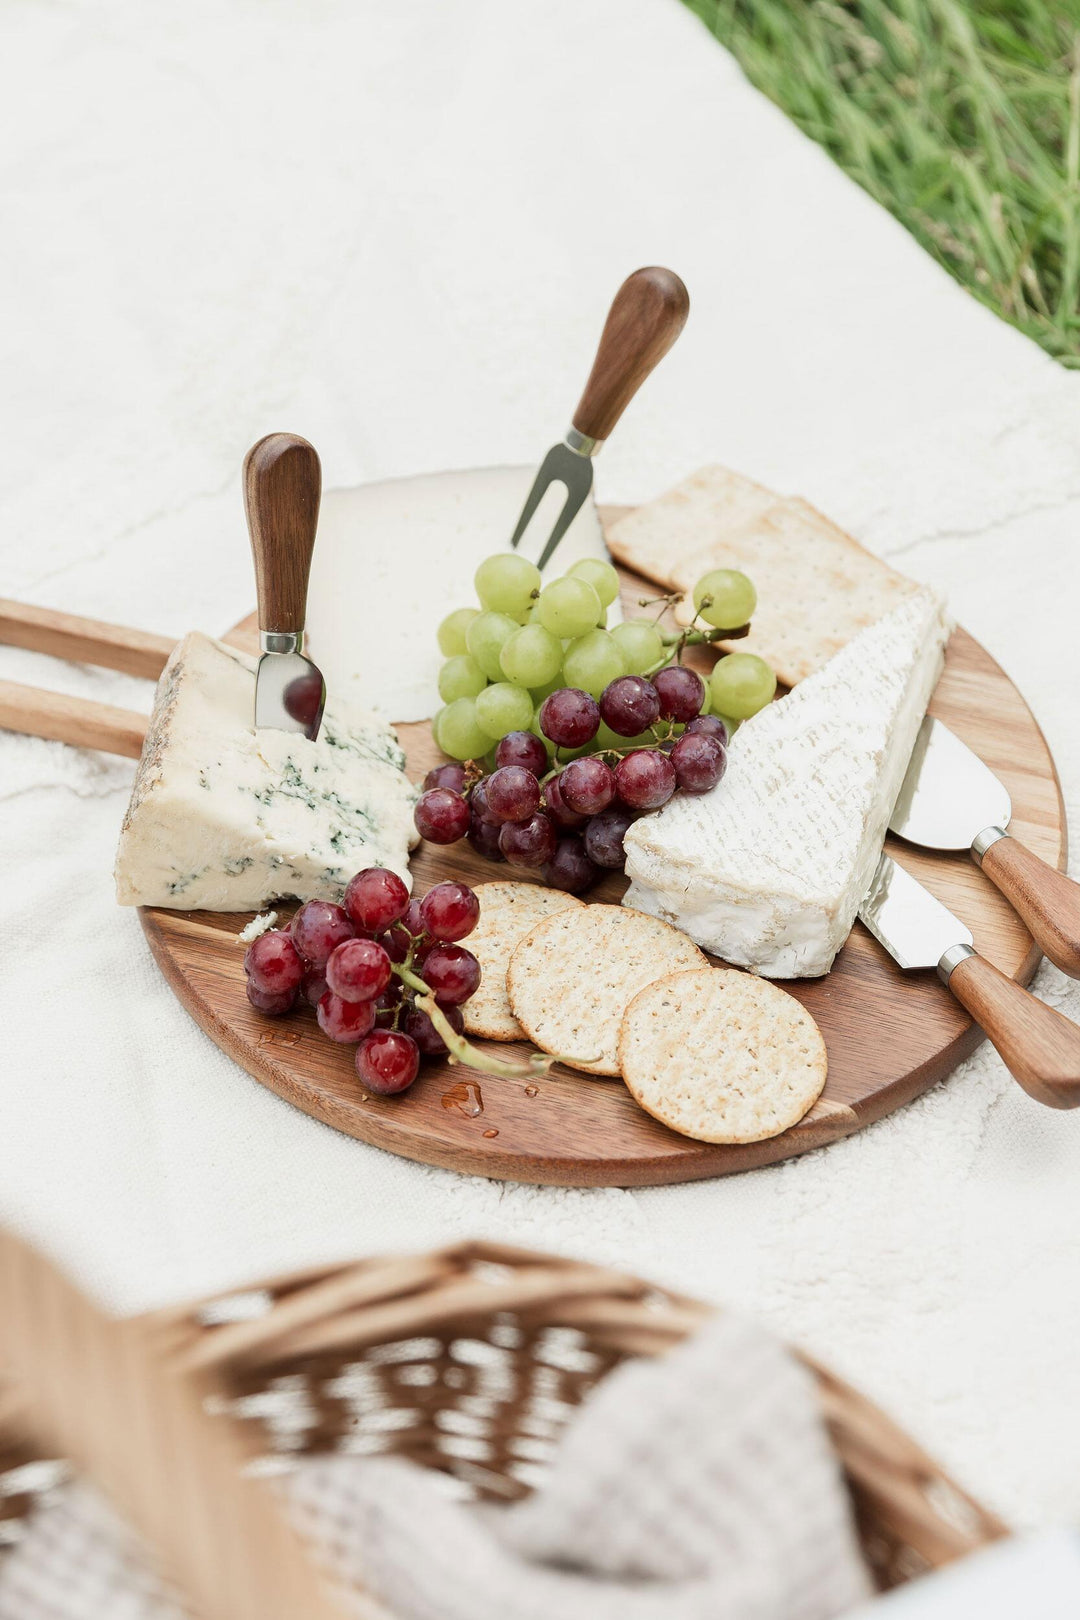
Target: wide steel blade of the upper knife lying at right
{"x": 948, "y": 795}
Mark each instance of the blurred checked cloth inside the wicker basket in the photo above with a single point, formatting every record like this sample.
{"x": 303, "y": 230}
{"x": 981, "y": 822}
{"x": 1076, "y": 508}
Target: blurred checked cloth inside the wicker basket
{"x": 700, "y": 1486}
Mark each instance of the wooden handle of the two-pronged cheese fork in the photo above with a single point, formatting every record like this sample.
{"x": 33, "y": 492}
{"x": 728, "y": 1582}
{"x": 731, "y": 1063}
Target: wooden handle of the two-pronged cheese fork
{"x": 645, "y": 320}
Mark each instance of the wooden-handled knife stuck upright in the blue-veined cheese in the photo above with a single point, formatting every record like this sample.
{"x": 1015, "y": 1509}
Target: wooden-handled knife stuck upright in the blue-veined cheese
{"x": 283, "y": 488}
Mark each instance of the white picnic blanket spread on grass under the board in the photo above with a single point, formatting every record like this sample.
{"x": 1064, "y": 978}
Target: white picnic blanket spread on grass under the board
{"x": 398, "y": 229}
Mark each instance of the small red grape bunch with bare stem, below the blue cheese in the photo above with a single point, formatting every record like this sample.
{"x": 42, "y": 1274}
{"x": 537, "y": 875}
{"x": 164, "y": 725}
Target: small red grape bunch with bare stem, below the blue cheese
{"x": 385, "y": 973}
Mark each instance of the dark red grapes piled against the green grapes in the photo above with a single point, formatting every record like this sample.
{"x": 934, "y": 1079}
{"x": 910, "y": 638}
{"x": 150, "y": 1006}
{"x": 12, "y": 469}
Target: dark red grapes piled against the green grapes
{"x": 629, "y": 752}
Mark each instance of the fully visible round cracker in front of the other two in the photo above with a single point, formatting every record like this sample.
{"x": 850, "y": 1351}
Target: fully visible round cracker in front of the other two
{"x": 721, "y": 1057}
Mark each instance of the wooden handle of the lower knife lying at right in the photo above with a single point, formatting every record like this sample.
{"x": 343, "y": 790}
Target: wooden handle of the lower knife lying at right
{"x": 1037, "y": 1044}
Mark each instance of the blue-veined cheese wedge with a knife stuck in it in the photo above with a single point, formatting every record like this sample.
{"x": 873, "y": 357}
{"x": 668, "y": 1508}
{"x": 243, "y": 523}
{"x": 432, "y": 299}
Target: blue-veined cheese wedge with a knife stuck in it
{"x": 226, "y": 817}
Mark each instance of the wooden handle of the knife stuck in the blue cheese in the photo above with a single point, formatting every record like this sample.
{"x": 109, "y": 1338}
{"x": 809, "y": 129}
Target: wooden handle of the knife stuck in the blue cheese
{"x": 283, "y": 490}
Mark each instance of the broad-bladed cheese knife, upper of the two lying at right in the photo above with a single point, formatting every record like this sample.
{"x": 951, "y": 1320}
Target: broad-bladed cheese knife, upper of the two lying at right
{"x": 953, "y": 801}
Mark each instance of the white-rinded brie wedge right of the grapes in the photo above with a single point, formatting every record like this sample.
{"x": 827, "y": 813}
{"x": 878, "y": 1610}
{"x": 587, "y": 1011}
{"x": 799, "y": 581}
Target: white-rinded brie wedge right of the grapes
{"x": 770, "y": 869}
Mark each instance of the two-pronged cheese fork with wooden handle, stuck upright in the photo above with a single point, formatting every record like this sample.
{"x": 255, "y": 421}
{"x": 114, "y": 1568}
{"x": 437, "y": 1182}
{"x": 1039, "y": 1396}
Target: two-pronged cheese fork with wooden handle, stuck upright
{"x": 647, "y": 317}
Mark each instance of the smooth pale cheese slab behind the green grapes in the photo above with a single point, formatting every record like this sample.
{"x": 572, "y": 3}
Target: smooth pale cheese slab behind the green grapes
{"x": 396, "y": 558}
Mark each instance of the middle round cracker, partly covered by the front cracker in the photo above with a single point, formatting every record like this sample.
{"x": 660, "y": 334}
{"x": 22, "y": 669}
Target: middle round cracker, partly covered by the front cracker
{"x": 574, "y": 976}
